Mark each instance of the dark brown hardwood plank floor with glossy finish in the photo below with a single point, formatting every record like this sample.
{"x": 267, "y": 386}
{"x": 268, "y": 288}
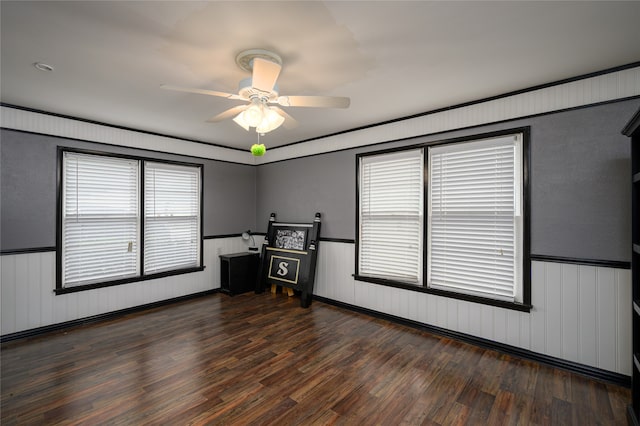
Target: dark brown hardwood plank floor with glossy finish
{"x": 261, "y": 359}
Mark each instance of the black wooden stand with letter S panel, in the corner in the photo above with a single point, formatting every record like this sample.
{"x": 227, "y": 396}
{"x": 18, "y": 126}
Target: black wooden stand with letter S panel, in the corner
{"x": 289, "y": 255}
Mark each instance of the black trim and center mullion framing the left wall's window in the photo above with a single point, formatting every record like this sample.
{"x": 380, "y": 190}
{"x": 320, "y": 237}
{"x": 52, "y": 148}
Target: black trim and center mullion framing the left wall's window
{"x": 59, "y": 289}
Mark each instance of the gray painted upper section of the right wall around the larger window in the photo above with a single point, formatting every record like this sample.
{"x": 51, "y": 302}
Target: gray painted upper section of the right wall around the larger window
{"x": 580, "y": 180}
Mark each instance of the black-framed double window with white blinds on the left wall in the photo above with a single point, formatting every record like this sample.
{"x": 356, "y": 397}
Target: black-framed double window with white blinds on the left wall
{"x": 118, "y": 226}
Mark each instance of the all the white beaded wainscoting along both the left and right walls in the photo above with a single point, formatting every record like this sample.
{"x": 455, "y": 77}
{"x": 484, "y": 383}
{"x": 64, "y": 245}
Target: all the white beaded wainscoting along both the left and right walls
{"x": 581, "y": 313}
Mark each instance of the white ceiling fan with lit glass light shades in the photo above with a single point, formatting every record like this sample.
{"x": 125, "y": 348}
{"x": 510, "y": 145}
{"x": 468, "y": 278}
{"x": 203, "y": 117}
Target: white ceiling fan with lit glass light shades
{"x": 260, "y": 90}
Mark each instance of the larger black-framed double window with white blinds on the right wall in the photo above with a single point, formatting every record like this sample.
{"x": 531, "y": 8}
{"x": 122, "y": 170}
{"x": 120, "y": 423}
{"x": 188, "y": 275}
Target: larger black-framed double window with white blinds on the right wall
{"x": 473, "y": 245}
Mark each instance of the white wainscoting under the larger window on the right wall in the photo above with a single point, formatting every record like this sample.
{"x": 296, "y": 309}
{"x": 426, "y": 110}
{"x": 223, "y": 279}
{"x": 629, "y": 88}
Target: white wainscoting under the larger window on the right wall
{"x": 580, "y": 313}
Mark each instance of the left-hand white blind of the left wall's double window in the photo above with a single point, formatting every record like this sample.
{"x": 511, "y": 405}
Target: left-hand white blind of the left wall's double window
{"x": 100, "y": 230}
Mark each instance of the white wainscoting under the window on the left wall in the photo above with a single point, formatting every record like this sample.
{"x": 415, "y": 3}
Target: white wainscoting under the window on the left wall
{"x": 27, "y": 281}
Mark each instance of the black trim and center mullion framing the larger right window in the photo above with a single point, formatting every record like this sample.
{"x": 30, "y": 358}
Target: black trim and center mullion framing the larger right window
{"x": 525, "y": 305}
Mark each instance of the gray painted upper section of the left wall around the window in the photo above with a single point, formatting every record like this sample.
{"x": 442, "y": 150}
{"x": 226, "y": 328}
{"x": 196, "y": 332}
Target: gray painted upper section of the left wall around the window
{"x": 28, "y": 189}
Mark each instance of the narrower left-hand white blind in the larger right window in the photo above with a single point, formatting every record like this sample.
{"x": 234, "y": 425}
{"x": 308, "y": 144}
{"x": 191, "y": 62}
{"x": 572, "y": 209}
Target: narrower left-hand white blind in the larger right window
{"x": 391, "y": 216}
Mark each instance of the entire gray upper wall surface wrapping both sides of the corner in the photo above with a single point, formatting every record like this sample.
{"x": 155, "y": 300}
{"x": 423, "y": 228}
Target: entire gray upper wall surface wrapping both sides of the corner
{"x": 580, "y": 174}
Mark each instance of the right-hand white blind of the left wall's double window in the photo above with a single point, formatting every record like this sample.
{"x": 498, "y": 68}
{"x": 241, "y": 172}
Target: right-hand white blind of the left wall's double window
{"x": 172, "y": 217}
